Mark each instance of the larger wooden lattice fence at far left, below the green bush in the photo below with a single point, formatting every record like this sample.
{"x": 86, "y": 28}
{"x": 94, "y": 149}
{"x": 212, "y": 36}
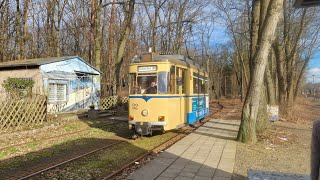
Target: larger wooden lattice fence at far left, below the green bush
{"x": 19, "y": 113}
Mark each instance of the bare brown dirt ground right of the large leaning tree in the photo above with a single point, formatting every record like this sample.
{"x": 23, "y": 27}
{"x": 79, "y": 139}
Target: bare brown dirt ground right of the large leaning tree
{"x": 284, "y": 146}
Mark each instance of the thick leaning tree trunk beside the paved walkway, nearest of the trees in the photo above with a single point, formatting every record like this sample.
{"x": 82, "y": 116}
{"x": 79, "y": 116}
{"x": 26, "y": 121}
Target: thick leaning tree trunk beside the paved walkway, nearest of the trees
{"x": 247, "y": 133}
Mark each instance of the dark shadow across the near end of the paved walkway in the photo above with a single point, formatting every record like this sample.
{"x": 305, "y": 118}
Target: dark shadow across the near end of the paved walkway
{"x": 170, "y": 166}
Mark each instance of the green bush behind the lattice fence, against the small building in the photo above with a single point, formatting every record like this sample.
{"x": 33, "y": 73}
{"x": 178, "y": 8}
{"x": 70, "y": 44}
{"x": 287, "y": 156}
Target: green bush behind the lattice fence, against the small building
{"x": 18, "y": 87}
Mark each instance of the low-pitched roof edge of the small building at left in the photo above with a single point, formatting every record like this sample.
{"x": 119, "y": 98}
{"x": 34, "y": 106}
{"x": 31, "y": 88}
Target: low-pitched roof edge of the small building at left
{"x": 39, "y": 61}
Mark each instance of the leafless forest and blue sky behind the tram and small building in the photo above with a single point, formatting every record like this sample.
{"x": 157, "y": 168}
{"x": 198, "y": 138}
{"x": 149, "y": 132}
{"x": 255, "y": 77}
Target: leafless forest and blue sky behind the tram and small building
{"x": 109, "y": 33}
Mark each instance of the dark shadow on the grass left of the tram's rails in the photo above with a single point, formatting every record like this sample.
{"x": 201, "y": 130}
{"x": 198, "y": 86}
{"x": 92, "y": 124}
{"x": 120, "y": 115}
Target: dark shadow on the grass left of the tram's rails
{"x": 20, "y": 166}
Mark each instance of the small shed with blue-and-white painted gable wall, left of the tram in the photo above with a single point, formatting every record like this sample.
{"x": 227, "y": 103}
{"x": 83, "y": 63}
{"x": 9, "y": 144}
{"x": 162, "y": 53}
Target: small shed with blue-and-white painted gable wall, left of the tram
{"x": 70, "y": 83}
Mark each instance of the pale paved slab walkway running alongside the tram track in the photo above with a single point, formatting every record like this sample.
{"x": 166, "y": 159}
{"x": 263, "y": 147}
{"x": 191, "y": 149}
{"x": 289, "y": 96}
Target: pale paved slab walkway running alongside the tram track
{"x": 196, "y": 156}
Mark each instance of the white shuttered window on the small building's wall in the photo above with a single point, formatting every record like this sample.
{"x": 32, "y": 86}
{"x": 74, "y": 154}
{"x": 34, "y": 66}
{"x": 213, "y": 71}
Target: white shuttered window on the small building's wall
{"x": 57, "y": 92}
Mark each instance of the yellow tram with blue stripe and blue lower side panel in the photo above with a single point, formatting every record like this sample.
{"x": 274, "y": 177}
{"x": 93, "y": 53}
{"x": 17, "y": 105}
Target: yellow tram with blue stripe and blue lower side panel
{"x": 166, "y": 92}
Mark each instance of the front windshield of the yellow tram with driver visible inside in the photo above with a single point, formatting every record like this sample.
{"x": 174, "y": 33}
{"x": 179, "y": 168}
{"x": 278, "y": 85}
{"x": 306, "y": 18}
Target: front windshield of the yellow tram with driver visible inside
{"x": 149, "y": 83}
